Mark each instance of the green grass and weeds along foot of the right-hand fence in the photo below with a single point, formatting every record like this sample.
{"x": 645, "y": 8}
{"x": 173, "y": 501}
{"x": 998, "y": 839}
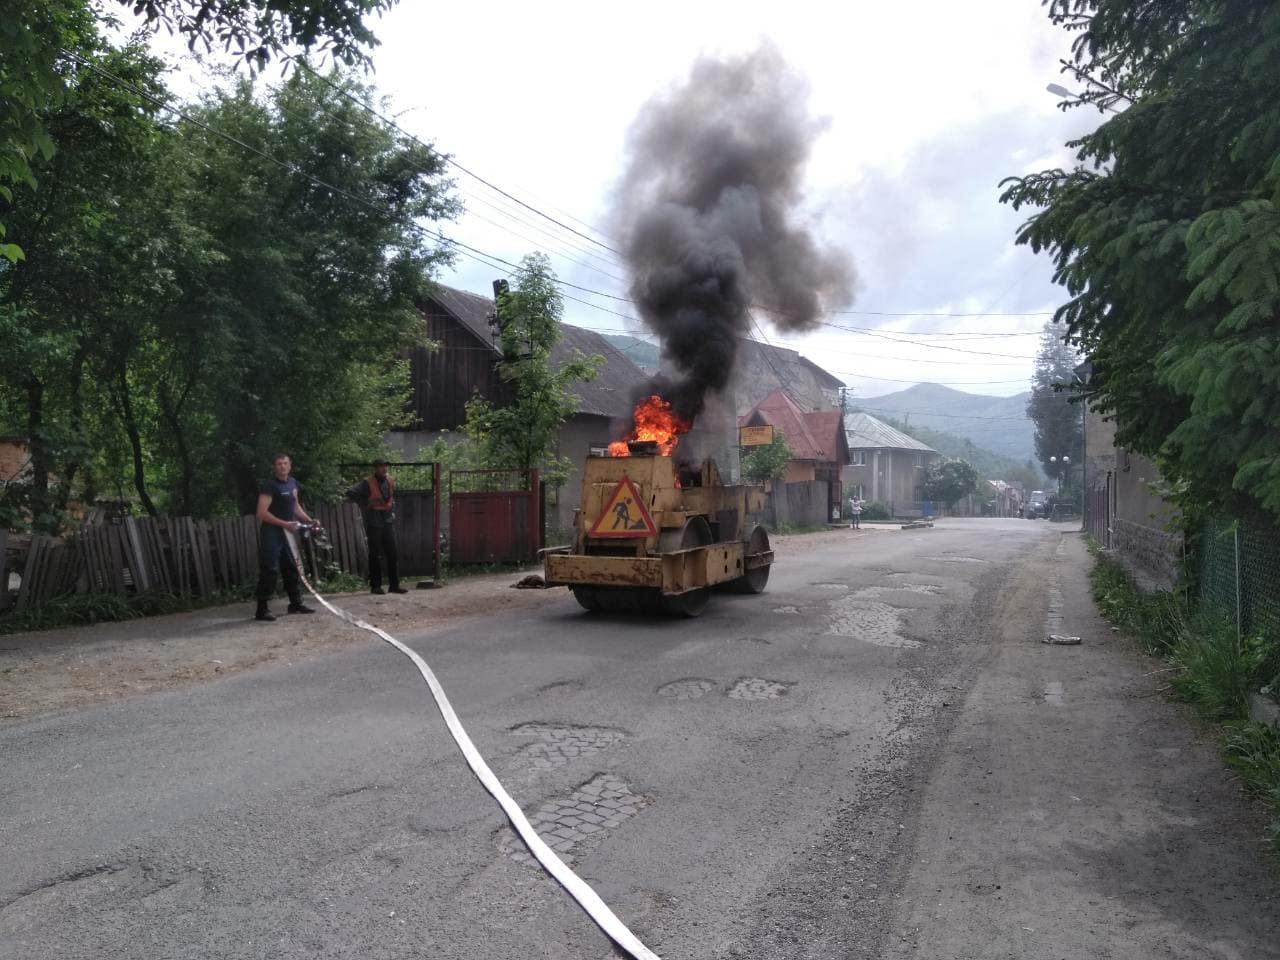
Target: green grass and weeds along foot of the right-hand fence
{"x": 1210, "y": 668}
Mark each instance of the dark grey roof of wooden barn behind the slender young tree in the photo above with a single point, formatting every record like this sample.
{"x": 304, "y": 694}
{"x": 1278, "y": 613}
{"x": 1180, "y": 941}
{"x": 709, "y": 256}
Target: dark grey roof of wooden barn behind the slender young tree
{"x": 616, "y": 382}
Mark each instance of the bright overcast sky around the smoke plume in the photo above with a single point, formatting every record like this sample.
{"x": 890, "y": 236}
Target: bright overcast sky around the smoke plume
{"x": 929, "y": 106}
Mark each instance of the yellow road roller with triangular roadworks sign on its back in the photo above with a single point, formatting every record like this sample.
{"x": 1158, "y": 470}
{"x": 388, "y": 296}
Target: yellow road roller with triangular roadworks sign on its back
{"x": 655, "y": 534}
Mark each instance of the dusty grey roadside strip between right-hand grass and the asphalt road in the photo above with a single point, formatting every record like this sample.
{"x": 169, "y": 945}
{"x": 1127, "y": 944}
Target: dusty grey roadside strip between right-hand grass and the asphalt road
{"x": 1076, "y": 815}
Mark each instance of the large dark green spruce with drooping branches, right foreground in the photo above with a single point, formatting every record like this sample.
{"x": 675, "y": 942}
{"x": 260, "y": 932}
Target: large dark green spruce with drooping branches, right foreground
{"x": 1167, "y": 235}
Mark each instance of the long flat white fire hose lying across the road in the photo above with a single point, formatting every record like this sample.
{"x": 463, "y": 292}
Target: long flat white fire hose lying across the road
{"x": 577, "y": 888}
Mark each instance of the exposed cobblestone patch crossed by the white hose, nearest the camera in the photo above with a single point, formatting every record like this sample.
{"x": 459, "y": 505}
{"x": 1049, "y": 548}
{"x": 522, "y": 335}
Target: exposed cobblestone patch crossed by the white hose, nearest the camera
{"x": 568, "y": 825}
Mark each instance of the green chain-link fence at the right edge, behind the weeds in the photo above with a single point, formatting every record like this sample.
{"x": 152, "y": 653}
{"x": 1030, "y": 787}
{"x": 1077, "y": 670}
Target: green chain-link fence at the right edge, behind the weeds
{"x": 1240, "y": 570}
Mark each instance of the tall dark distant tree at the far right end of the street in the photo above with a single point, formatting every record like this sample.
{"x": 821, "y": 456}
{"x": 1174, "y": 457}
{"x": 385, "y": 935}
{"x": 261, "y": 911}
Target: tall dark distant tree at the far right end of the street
{"x": 1059, "y": 429}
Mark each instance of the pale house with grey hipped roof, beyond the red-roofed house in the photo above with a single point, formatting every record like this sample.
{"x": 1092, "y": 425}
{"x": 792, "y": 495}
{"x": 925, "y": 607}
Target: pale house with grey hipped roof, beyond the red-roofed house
{"x": 885, "y": 465}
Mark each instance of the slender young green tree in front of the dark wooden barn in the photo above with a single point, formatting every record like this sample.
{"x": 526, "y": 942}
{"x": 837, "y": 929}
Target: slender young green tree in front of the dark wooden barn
{"x": 523, "y": 433}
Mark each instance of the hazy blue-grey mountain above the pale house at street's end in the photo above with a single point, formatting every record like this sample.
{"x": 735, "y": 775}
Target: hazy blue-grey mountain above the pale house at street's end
{"x": 996, "y": 424}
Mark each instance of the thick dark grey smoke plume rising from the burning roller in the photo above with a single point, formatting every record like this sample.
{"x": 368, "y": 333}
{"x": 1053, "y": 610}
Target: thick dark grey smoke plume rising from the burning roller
{"x": 706, "y": 214}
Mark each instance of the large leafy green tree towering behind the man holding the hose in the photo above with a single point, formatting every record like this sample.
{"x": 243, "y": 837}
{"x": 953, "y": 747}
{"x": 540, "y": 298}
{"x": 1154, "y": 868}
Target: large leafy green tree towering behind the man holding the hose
{"x": 290, "y": 335}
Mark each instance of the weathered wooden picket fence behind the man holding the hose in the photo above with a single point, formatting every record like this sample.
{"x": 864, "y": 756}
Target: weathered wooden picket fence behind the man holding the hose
{"x": 171, "y": 555}
